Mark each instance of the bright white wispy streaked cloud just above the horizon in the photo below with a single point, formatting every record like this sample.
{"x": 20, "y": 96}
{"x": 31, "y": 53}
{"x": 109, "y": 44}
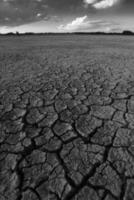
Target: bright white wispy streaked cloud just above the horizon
{"x": 84, "y": 24}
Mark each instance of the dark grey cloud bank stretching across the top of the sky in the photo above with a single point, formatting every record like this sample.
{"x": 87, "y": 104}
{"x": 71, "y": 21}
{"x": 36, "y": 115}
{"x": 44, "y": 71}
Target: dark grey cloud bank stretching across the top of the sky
{"x": 20, "y": 12}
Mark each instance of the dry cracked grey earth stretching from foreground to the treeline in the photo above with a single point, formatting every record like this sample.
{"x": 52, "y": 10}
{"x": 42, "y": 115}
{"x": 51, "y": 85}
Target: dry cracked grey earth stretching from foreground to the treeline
{"x": 67, "y": 119}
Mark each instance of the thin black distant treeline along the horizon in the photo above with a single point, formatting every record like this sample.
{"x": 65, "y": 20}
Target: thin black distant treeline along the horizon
{"x": 125, "y": 32}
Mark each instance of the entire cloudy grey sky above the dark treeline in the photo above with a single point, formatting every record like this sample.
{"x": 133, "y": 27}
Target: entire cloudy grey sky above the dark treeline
{"x": 66, "y": 15}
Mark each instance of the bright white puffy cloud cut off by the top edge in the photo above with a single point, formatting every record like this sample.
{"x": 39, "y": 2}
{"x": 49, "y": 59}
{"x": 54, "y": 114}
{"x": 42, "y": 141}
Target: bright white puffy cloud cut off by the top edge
{"x": 103, "y": 4}
